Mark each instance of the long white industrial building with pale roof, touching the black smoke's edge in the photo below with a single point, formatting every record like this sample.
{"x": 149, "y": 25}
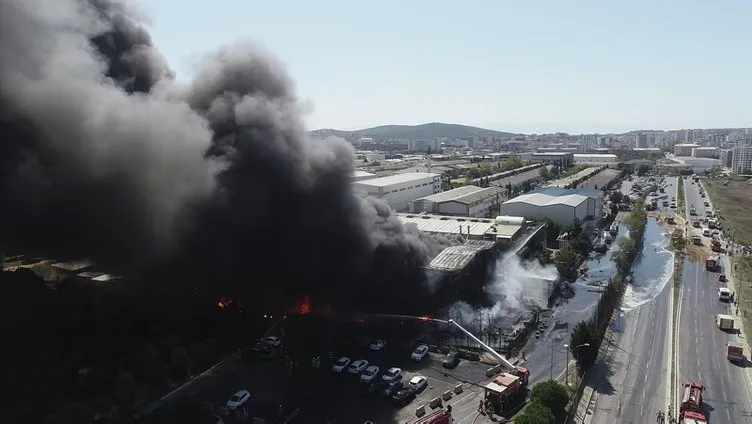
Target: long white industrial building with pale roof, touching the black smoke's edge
{"x": 400, "y": 190}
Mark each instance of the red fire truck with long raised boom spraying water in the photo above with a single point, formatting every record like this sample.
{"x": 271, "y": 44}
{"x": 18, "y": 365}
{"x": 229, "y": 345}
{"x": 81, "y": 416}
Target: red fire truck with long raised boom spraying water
{"x": 503, "y": 389}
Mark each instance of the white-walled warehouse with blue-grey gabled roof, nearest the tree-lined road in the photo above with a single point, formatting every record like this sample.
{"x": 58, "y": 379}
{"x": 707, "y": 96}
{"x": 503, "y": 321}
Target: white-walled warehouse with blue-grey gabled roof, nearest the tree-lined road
{"x": 562, "y": 206}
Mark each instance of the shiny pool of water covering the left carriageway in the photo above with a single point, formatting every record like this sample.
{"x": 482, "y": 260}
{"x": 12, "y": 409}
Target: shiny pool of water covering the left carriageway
{"x": 653, "y": 271}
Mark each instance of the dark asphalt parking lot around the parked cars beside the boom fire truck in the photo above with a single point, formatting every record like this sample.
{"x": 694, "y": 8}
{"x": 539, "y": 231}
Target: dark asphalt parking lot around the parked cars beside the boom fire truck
{"x": 324, "y": 396}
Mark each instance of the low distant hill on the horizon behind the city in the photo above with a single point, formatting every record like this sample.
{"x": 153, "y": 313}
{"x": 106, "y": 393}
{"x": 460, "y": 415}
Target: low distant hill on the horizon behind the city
{"x": 431, "y": 130}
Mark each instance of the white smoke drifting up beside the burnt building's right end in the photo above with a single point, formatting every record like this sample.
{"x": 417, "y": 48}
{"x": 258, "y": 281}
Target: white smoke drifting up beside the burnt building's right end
{"x": 516, "y": 285}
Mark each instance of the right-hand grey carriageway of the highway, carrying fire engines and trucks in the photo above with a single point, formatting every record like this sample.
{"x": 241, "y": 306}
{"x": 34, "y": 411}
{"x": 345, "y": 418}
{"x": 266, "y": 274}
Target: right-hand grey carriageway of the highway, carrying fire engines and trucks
{"x": 701, "y": 346}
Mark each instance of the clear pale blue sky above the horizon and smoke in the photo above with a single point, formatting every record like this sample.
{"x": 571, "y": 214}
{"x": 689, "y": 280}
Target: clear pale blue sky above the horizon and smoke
{"x": 577, "y": 66}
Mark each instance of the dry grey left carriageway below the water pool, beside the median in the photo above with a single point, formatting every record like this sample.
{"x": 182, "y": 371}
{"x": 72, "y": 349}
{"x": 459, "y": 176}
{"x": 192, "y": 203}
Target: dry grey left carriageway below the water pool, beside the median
{"x": 632, "y": 387}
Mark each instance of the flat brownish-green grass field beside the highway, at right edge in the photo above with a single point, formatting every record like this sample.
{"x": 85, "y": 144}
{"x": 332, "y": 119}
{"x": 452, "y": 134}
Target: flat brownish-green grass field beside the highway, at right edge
{"x": 734, "y": 202}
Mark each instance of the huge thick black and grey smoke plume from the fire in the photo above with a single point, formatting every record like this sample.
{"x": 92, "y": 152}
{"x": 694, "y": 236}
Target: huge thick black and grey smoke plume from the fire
{"x": 102, "y": 155}
